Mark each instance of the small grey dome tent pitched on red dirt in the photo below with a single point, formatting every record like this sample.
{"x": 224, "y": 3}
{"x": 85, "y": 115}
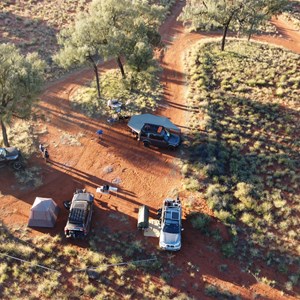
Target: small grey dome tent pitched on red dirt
{"x": 43, "y": 213}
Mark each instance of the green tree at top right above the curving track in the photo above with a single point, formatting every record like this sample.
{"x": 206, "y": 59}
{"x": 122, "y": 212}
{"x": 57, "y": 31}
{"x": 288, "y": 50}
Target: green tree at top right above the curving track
{"x": 229, "y": 14}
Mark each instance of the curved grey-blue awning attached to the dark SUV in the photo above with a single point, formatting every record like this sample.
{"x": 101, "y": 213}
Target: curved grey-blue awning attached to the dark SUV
{"x": 137, "y": 122}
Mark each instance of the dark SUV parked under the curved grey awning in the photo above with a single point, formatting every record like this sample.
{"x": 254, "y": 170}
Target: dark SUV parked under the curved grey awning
{"x": 158, "y": 136}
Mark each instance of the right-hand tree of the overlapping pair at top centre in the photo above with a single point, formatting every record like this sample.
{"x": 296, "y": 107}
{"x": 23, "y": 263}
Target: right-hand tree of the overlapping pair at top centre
{"x": 129, "y": 24}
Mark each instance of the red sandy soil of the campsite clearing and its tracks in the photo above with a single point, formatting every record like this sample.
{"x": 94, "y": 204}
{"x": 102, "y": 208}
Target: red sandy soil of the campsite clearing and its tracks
{"x": 147, "y": 176}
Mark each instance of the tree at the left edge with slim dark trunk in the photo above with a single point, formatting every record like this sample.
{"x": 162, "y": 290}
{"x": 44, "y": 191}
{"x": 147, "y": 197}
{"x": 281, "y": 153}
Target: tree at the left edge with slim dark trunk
{"x": 21, "y": 80}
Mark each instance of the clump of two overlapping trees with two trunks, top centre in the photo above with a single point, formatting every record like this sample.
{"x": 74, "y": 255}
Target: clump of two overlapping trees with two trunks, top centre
{"x": 110, "y": 28}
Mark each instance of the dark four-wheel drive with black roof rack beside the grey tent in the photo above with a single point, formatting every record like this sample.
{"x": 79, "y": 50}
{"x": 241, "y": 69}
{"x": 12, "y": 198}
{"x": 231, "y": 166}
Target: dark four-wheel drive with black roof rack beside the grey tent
{"x": 80, "y": 216}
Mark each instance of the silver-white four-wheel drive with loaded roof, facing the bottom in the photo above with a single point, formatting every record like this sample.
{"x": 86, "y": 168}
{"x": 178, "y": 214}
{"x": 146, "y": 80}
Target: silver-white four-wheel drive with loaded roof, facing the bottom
{"x": 170, "y": 217}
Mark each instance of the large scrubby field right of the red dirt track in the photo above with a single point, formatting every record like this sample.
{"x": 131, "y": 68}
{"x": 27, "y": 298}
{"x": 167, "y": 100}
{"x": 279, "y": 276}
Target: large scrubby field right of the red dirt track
{"x": 244, "y": 143}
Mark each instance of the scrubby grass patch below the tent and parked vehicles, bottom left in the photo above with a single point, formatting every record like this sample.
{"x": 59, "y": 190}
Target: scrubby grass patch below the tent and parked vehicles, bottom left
{"x": 68, "y": 277}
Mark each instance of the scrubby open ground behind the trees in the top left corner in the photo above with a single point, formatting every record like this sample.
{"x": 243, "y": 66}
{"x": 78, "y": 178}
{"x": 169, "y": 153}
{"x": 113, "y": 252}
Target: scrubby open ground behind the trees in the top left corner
{"x": 33, "y": 25}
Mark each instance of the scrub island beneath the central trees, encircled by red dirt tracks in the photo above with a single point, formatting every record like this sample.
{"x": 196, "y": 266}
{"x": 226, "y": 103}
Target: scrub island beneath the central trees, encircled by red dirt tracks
{"x": 138, "y": 92}
